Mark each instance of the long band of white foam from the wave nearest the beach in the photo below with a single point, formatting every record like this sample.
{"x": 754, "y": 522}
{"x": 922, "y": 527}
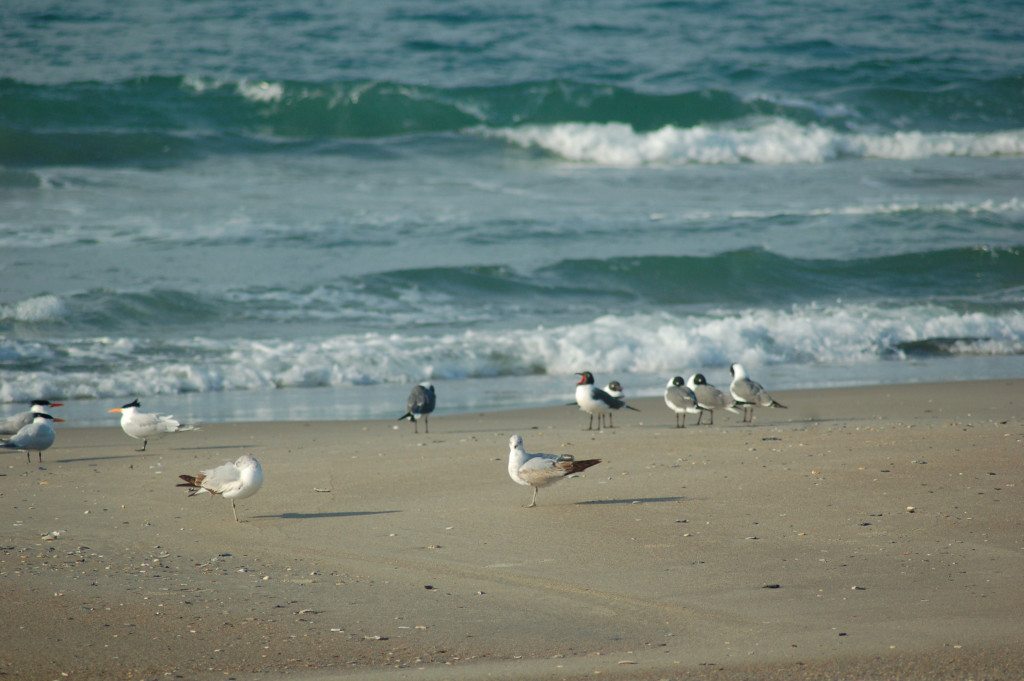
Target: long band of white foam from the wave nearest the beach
{"x": 658, "y": 344}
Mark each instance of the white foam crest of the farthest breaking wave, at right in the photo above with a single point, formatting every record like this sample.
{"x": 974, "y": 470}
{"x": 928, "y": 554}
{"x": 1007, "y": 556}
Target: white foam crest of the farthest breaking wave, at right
{"x": 771, "y": 142}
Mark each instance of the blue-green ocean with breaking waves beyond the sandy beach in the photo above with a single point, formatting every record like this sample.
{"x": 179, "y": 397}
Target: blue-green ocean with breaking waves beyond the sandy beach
{"x": 241, "y": 210}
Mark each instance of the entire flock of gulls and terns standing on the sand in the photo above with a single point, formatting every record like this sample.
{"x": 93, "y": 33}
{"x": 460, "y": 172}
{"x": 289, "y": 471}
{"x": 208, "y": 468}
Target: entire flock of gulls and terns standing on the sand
{"x": 33, "y": 431}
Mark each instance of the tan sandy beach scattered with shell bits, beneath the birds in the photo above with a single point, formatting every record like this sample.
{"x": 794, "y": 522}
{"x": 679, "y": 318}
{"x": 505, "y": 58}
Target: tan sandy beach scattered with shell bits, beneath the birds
{"x": 374, "y": 554}
